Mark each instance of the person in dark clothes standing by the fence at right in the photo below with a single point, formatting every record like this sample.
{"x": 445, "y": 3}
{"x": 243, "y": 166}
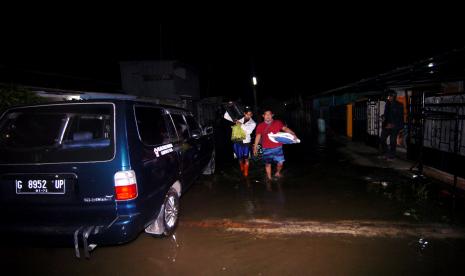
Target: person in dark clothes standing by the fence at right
{"x": 393, "y": 122}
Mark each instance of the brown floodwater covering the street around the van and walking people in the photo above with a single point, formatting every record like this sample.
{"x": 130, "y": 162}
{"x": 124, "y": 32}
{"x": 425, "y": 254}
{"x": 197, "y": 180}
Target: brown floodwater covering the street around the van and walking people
{"x": 326, "y": 216}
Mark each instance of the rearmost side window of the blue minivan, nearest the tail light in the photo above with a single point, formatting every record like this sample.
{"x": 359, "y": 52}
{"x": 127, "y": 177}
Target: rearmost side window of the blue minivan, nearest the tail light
{"x": 151, "y": 125}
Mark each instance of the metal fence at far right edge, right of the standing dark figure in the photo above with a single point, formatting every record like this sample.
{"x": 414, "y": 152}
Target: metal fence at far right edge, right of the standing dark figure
{"x": 438, "y": 131}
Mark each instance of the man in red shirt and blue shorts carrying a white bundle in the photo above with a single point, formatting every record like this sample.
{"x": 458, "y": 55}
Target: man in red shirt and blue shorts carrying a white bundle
{"x": 272, "y": 152}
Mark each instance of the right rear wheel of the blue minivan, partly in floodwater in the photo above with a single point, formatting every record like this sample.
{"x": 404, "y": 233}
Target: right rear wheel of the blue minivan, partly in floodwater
{"x": 167, "y": 218}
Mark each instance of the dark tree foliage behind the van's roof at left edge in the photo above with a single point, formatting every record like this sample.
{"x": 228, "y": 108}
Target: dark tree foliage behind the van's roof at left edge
{"x": 11, "y": 95}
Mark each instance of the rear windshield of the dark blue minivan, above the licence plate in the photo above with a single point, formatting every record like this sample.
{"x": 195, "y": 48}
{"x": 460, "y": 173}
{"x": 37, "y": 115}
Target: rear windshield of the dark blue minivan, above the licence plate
{"x": 57, "y": 133}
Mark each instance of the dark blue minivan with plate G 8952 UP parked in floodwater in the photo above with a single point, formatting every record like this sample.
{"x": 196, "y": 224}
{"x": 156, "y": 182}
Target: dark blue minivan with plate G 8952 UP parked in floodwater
{"x": 98, "y": 171}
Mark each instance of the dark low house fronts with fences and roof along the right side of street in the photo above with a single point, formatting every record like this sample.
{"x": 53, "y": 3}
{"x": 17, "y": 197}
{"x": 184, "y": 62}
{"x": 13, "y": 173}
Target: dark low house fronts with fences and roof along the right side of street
{"x": 433, "y": 96}
